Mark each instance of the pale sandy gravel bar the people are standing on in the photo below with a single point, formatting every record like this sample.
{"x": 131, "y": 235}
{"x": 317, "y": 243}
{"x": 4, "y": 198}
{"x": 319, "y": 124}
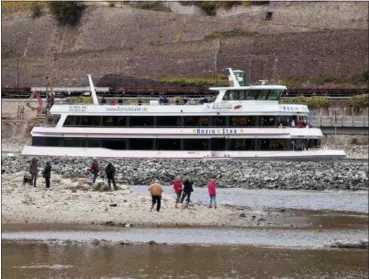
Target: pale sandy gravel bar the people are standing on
{"x": 71, "y": 202}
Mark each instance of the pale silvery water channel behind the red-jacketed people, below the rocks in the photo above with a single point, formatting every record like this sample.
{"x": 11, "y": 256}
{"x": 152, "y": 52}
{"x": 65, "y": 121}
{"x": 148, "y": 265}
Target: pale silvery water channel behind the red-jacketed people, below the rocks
{"x": 295, "y": 199}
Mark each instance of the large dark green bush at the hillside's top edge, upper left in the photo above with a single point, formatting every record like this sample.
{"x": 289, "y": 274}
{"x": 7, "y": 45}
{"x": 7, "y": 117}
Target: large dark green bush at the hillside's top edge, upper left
{"x": 66, "y": 12}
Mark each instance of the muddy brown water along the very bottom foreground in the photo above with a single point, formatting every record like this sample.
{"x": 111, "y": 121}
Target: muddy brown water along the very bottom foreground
{"x": 39, "y": 260}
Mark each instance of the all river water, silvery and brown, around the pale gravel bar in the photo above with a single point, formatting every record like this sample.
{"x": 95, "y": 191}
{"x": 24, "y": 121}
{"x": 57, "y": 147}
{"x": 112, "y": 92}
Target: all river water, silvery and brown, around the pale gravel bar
{"x": 46, "y": 251}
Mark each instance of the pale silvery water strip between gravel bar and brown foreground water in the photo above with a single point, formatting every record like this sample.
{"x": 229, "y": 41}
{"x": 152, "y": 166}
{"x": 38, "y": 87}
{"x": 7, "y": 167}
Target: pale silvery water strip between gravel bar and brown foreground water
{"x": 213, "y": 236}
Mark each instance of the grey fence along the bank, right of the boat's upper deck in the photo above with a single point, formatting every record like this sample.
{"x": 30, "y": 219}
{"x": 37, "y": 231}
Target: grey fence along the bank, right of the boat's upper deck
{"x": 340, "y": 121}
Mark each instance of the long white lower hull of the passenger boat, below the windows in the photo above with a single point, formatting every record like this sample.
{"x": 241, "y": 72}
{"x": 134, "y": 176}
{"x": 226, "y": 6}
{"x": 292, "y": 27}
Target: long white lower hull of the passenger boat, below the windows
{"x": 308, "y": 155}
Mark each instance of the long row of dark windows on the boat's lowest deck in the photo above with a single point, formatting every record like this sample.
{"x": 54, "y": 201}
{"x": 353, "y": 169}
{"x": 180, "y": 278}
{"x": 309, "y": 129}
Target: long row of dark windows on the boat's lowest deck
{"x": 179, "y": 144}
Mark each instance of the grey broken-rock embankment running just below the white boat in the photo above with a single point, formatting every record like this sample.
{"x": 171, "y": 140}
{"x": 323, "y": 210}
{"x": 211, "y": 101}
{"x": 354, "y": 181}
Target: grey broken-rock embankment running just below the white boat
{"x": 246, "y": 174}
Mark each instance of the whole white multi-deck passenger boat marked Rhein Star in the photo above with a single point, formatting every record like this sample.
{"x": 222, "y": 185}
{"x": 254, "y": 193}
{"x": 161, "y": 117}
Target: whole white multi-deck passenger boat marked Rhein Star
{"x": 243, "y": 122}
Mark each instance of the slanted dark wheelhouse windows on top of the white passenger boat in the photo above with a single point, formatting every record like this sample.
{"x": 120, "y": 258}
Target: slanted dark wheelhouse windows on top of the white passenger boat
{"x": 263, "y": 94}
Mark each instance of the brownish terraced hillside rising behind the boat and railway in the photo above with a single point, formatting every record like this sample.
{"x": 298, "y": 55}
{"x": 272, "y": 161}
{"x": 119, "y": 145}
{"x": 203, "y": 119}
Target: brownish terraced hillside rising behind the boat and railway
{"x": 327, "y": 41}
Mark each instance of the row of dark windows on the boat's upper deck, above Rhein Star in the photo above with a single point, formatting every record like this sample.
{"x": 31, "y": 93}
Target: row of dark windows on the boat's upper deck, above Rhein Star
{"x": 176, "y": 121}
